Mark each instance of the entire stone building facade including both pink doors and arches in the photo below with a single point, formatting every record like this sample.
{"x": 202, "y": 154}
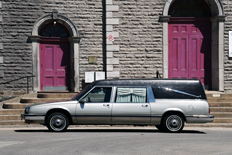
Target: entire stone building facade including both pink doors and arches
{"x": 121, "y": 39}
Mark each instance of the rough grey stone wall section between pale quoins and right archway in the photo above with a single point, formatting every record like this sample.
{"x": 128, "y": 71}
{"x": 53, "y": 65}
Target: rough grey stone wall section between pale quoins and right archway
{"x": 140, "y": 54}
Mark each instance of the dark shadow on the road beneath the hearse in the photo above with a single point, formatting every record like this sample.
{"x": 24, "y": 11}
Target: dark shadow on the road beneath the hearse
{"x": 112, "y": 130}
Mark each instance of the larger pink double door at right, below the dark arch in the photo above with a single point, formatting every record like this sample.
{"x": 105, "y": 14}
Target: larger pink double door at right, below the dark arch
{"x": 189, "y": 51}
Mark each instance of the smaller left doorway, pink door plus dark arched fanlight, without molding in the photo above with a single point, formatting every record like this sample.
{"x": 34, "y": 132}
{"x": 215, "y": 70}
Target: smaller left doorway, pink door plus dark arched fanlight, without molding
{"x": 54, "y": 57}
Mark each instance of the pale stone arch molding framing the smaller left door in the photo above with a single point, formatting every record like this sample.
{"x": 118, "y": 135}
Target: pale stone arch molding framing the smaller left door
{"x": 74, "y": 40}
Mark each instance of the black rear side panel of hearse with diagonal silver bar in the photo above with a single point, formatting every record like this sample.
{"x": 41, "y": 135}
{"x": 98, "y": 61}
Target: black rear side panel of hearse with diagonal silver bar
{"x": 178, "y": 91}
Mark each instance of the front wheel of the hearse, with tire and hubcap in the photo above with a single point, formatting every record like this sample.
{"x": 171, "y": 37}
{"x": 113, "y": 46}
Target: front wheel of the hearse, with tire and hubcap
{"x": 57, "y": 122}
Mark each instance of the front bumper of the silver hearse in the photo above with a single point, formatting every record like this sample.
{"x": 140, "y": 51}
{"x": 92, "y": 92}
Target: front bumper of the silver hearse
{"x": 33, "y": 118}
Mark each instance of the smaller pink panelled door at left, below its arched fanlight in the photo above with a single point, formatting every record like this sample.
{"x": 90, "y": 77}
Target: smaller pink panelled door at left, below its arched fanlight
{"x": 54, "y": 66}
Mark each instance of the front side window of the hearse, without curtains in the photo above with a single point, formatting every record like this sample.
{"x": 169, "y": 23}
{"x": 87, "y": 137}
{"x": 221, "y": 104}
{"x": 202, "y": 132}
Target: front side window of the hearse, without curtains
{"x": 99, "y": 94}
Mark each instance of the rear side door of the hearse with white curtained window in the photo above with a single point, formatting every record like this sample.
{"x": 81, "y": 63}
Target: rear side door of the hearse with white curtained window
{"x": 131, "y": 106}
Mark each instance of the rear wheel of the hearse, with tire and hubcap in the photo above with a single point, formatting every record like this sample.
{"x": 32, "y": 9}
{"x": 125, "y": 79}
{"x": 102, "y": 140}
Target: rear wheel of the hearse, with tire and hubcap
{"x": 173, "y": 123}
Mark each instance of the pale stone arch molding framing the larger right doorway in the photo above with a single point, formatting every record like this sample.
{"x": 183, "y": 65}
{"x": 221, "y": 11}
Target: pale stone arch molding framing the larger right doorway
{"x": 217, "y": 44}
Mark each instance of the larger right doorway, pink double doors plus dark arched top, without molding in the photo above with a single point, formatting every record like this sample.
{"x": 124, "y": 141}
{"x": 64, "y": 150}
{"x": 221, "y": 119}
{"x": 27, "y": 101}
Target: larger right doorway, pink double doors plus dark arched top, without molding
{"x": 189, "y": 34}
